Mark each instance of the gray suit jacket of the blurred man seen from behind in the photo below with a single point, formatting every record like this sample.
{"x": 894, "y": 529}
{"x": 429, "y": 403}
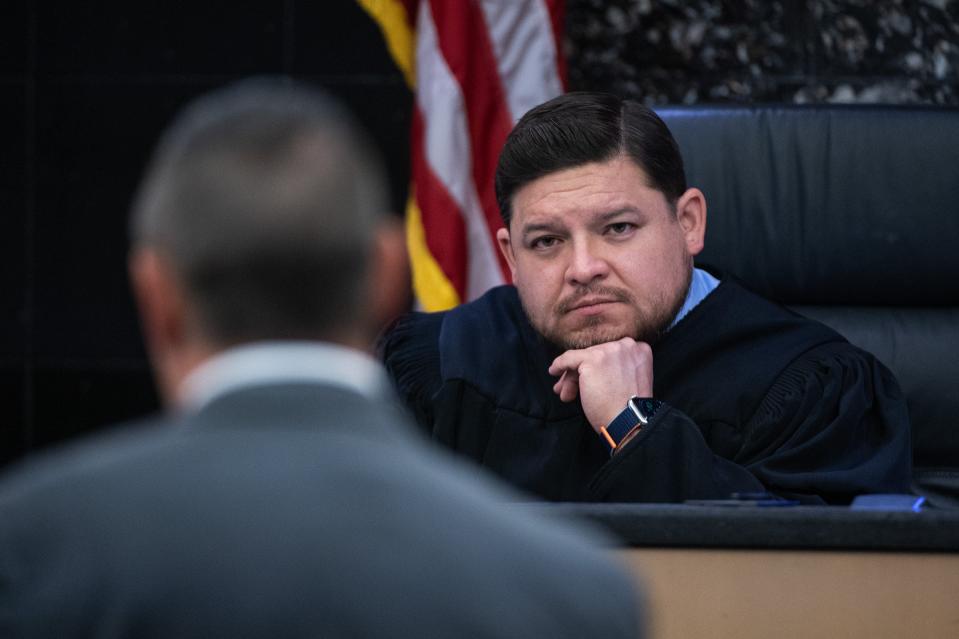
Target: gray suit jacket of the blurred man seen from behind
{"x": 295, "y": 510}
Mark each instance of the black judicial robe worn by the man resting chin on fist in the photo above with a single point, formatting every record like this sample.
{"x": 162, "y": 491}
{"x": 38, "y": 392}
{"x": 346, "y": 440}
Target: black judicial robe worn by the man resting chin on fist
{"x": 756, "y": 398}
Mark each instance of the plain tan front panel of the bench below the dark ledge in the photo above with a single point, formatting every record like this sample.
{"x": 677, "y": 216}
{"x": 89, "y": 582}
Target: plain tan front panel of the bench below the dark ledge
{"x": 757, "y": 594}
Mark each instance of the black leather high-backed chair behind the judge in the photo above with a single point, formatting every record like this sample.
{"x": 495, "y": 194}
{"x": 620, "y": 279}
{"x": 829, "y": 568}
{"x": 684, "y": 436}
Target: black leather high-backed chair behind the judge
{"x": 849, "y": 215}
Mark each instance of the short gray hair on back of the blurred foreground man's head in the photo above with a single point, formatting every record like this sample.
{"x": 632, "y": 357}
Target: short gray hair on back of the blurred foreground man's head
{"x": 264, "y": 196}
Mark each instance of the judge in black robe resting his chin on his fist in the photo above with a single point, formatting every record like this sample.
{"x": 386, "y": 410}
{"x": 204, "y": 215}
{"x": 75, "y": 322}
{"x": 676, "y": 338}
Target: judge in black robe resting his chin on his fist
{"x": 550, "y": 382}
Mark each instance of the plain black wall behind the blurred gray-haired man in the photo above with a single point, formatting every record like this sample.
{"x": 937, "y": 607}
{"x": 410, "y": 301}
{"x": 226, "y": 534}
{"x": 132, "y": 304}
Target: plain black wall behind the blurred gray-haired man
{"x": 85, "y": 90}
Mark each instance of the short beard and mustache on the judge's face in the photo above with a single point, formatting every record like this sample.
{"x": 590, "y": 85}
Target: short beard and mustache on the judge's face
{"x": 649, "y": 324}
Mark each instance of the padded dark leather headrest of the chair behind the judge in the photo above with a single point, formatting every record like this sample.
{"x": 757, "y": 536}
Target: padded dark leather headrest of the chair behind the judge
{"x": 829, "y": 204}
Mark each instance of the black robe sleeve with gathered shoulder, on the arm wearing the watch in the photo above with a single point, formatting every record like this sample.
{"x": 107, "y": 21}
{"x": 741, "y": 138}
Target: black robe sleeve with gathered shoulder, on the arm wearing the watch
{"x": 832, "y": 425}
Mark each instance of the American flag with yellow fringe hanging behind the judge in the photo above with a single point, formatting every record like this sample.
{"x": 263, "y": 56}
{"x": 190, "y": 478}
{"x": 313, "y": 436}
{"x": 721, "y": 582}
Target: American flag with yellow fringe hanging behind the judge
{"x": 475, "y": 66}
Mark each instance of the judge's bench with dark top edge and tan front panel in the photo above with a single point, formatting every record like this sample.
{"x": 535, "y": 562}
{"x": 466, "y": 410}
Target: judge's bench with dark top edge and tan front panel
{"x": 786, "y": 572}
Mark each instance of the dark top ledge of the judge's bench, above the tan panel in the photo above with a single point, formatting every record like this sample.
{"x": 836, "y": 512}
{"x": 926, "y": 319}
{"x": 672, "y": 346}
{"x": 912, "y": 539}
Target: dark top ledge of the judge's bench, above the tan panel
{"x": 794, "y": 527}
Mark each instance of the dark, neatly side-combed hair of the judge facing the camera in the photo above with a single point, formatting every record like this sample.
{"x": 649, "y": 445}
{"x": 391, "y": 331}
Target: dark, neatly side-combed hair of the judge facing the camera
{"x": 583, "y": 127}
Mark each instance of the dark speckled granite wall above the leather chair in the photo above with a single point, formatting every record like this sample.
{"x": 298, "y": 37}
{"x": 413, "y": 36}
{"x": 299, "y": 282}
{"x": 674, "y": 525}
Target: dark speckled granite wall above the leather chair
{"x": 670, "y": 51}
